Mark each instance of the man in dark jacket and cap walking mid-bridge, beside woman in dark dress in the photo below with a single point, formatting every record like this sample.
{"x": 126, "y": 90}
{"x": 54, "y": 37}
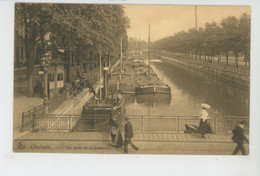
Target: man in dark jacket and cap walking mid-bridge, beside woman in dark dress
{"x": 128, "y": 135}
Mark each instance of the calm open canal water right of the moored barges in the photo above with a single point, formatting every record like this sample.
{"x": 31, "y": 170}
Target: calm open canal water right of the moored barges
{"x": 189, "y": 89}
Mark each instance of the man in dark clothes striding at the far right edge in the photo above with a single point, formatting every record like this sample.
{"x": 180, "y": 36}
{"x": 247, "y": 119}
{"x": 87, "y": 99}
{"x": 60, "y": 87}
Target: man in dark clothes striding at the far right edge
{"x": 239, "y": 138}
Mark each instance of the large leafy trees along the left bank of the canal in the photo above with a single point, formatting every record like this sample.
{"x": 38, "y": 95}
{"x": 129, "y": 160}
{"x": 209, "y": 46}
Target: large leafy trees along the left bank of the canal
{"x": 82, "y": 30}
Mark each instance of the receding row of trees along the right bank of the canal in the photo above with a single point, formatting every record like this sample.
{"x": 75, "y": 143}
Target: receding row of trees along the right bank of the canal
{"x": 231, "y": 36}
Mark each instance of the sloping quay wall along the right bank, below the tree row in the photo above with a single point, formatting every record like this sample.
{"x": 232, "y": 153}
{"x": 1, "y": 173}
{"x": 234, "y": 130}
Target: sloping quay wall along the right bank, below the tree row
{"x": 226, "y": 73}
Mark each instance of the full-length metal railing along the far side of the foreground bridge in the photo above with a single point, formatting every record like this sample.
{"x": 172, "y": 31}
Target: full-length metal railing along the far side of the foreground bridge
{"x": 141, "y": 123}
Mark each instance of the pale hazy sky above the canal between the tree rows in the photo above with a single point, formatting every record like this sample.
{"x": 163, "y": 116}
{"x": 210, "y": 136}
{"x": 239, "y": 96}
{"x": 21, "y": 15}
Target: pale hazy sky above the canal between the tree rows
{"x": 166, "y": 20}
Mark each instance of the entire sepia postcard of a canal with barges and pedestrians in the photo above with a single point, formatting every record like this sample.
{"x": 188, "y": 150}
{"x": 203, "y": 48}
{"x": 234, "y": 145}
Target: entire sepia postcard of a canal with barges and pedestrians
{"x": 131, "y": 79}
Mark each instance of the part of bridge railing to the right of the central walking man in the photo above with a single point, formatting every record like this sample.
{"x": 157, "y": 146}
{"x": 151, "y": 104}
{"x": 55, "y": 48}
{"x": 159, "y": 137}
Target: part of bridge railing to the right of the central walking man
{"x": 176, "y": 124}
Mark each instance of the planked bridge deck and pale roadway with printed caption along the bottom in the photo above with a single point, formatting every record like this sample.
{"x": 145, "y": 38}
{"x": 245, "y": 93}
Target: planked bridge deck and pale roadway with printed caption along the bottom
{"x": 99, "y": 142}
